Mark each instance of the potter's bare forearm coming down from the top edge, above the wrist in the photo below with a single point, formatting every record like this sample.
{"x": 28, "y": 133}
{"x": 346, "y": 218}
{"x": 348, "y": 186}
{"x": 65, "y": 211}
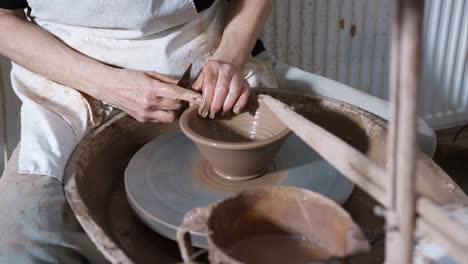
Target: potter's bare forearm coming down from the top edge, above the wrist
{"x": 244, "y": 23}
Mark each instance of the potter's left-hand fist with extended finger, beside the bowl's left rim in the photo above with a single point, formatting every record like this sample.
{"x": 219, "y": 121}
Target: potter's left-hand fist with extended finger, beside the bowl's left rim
{"x": 146, "y": 96}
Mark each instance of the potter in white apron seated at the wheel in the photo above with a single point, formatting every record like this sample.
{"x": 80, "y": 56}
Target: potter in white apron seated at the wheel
{"x": 75, "y": 64}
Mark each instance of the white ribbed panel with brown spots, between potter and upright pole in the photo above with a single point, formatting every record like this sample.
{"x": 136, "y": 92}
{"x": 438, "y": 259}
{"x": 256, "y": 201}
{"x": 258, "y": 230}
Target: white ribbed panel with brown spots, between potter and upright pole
{"x": 345, "y": 40}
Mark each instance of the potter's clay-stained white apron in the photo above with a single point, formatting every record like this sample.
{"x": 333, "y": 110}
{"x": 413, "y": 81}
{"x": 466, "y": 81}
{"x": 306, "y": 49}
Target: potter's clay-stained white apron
{"x": 155, "y": 35}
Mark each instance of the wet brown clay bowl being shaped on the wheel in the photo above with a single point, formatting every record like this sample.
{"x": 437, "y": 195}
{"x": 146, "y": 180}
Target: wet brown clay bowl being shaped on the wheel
{"x": 239, "y": 147}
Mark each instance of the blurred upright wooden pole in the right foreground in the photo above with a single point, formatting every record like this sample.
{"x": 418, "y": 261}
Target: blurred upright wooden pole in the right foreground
{"x": 405, "y": 70}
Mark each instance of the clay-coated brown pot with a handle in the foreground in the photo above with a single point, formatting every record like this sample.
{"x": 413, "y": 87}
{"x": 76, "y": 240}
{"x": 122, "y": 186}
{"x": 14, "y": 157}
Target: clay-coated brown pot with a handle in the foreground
{"x": 275, "y": 211}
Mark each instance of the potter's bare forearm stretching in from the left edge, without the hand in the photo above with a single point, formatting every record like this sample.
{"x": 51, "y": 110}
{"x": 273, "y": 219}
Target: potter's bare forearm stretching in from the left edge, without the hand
{"x": 37, "y": 50}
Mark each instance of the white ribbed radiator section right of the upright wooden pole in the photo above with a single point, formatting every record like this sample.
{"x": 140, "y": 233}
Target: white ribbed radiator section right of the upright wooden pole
{"x": 444, "y": 85}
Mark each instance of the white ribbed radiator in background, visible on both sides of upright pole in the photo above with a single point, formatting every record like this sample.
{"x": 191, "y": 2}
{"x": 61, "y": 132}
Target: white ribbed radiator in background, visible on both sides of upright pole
{"x": 348, "y": 41}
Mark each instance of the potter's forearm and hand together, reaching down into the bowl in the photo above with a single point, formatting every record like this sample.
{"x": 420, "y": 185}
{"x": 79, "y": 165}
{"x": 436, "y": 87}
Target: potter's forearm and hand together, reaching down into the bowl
{"x": 221, "y": 81}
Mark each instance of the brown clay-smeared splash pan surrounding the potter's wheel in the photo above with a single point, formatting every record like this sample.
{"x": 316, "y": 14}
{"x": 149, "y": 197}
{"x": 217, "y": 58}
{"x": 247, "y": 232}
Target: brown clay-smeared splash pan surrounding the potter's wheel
{"x": 94, "y": 184}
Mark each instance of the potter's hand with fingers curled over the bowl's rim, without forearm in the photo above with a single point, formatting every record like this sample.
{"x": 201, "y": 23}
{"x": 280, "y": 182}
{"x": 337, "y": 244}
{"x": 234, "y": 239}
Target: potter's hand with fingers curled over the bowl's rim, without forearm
{"x": 224, "y": 88}
